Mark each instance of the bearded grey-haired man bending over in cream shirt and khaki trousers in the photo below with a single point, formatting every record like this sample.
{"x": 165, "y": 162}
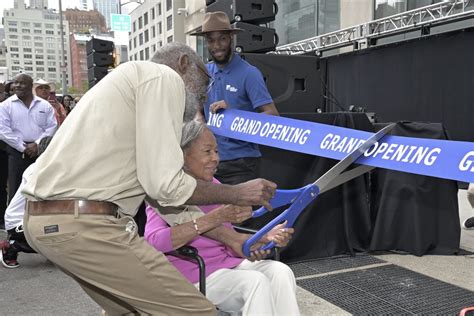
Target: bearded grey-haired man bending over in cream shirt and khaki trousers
{"x": 124, "y": 138}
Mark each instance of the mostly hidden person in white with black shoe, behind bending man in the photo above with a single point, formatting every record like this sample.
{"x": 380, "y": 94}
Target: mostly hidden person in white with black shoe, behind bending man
{"x": 16, "y": 241}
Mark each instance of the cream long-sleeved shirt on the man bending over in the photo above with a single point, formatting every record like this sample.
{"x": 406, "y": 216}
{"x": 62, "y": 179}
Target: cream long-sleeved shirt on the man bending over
{"x": 120, "y": 143}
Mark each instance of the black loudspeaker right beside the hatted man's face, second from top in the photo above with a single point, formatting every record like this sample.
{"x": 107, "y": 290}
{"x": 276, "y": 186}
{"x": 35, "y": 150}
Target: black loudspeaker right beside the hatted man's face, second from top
{"x": 255, "y": 38}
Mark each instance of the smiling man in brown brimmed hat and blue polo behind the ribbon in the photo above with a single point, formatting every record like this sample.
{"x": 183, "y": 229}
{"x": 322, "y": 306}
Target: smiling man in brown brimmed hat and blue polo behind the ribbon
{"x": 237, "y": 85}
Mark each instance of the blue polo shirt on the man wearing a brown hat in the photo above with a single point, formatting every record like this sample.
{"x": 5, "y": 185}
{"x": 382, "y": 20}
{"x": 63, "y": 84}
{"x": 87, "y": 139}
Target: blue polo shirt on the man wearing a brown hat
{"x": 242, "y": 87}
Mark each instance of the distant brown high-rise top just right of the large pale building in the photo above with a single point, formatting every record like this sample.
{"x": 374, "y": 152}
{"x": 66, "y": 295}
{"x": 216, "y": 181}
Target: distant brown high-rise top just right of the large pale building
{"x": 85, "y": 21}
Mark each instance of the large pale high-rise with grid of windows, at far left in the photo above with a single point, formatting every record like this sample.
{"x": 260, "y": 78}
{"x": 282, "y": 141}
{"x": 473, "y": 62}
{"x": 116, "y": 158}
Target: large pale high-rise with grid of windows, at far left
{"x": 33, "y": 40}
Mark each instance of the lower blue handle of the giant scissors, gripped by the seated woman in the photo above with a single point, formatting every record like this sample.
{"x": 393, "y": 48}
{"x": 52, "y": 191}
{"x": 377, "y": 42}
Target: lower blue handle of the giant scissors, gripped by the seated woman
{"x": 307, "y": 194}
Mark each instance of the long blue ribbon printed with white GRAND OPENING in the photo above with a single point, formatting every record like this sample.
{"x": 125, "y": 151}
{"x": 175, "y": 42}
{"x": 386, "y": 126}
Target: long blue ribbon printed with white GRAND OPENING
{"x": 444, "y": 159}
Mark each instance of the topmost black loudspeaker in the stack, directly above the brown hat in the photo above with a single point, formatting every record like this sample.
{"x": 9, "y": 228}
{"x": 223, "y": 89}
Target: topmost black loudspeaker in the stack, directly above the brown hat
{"x": 251, "y": 11}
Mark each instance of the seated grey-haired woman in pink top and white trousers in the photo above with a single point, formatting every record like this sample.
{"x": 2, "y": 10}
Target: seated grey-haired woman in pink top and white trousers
{"x": 234, "y": 284}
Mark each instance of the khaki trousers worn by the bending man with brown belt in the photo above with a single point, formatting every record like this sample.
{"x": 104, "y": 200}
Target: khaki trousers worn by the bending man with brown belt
{"x": 117, "y": 268}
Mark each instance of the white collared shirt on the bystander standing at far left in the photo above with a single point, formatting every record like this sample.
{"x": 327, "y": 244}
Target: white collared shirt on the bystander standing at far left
{"x": 20, "y": 124}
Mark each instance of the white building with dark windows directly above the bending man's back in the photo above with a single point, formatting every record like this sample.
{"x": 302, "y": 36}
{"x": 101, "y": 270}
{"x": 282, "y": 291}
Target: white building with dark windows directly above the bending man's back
{"x": 155, "y": 23}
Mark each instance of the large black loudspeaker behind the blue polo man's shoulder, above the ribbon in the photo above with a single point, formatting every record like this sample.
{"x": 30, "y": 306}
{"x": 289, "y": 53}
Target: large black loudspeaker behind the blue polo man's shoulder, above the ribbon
{"x": 294, "y": 82}
